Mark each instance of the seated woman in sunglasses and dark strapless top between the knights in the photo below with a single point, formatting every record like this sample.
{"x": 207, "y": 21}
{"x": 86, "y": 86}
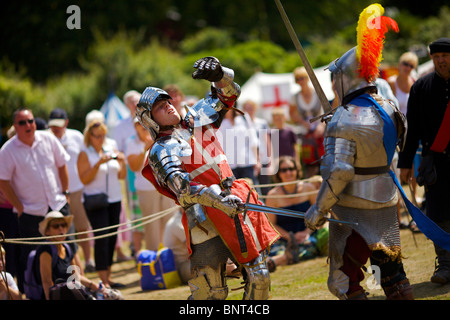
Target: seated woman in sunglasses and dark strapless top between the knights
{"x": 297, "y": 242}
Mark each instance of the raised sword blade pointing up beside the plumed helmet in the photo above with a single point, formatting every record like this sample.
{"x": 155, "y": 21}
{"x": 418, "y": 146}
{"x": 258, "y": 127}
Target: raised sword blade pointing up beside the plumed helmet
{"x": 298, "y": 46}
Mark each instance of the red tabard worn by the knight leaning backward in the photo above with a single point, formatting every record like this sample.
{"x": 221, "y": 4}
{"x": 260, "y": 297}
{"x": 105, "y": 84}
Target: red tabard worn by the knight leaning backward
{"x": 208, "y": 165}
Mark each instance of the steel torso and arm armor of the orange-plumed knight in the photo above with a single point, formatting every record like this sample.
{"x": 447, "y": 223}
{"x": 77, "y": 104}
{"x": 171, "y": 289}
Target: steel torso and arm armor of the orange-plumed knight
{"x": 355, "y": 137}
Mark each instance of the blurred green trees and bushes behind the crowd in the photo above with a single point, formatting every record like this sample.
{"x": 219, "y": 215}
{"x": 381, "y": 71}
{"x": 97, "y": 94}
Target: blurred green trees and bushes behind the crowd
{"x": 132, "y": 44}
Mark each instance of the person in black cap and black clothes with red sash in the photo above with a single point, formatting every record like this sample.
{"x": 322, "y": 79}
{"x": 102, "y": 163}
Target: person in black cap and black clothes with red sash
{"x": 428, "y": 115}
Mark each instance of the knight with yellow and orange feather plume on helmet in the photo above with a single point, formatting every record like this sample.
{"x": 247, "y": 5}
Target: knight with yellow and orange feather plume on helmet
{"x": 357, "y": 185}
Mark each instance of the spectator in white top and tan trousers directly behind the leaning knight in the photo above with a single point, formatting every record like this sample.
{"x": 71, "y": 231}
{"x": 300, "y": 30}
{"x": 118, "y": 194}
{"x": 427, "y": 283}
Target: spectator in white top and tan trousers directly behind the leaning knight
{"x": 150, "y": 200}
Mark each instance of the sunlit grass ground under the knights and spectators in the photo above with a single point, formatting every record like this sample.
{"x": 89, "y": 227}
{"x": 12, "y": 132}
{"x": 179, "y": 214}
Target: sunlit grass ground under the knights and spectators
{"x": 305, "y": 280}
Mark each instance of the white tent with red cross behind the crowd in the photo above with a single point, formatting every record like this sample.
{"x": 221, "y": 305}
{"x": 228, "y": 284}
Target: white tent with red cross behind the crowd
{"x": 274, "y": 90}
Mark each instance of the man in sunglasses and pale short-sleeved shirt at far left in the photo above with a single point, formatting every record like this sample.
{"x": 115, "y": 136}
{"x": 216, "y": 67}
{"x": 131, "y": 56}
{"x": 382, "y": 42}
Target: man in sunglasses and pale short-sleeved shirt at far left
{"x": 33, "y": 177}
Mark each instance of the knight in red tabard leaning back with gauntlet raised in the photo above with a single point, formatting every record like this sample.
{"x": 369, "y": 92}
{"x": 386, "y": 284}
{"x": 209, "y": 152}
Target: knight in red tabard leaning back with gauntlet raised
{"x": 187, "y": 163}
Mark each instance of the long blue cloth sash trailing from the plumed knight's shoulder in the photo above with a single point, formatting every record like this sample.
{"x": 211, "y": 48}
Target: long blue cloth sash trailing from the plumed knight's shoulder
{"x": 428, "y": 227}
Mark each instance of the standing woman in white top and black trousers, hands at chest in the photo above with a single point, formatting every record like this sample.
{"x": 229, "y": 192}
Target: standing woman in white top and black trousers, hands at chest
{"x": 100, "y": 167}
